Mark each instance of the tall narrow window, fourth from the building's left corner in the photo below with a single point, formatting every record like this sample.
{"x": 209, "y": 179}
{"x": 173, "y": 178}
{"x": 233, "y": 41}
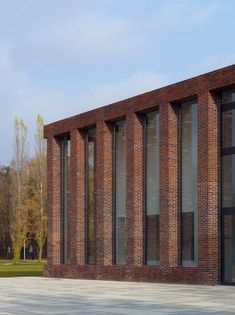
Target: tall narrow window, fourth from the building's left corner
{"x": 152, "y": 202}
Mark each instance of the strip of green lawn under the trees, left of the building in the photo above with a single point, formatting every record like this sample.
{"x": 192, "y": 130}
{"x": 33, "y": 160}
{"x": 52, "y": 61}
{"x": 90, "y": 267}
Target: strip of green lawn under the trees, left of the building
{"x": 21, "y": 269}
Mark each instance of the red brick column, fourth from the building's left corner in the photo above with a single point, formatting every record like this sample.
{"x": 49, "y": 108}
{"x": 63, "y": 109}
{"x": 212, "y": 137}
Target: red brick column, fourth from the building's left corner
{"x": 135, "y": 189}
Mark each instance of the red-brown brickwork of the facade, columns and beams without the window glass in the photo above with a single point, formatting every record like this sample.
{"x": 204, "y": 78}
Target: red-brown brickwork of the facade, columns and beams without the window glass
{"x": 206, "y": 89}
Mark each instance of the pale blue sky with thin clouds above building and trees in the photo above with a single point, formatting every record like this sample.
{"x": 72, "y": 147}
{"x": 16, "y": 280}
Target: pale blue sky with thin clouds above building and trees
{"x": 63, "y": 57}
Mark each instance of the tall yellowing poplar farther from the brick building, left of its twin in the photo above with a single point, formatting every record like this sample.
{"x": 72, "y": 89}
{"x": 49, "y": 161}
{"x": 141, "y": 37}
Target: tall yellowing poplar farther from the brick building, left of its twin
{"x": 19, "y": 189}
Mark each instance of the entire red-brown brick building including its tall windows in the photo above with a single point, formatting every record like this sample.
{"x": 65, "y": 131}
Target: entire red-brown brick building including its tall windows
{"x": 144, "y": 189}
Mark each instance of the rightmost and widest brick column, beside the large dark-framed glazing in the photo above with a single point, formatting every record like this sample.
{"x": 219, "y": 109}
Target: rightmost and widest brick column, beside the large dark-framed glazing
{"x": 208, "y": 186}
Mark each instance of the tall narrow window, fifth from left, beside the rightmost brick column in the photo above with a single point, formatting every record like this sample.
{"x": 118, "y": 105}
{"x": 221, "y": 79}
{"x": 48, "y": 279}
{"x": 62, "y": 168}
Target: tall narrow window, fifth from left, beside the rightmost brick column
{"x": 189, "y": 180}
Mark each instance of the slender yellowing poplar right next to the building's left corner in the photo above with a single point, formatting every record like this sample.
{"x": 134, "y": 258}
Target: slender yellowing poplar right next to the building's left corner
{"x": 41, "y": 186}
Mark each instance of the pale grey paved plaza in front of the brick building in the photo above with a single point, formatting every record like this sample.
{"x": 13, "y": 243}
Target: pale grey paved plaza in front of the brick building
{"x": 60, "y": 296}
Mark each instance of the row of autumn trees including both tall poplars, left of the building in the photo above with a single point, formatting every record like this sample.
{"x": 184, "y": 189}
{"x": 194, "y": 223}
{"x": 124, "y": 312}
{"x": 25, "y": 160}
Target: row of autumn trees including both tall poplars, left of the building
{"x": 23, "y": 194}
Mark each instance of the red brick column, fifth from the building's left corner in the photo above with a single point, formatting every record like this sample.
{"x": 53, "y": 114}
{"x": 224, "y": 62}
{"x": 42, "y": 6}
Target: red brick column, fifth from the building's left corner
{"x": 169, "y": 208}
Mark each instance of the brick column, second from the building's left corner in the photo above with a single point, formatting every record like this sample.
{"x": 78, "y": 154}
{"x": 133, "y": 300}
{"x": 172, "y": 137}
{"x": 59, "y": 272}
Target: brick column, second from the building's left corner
{"x": 77, "y": 197}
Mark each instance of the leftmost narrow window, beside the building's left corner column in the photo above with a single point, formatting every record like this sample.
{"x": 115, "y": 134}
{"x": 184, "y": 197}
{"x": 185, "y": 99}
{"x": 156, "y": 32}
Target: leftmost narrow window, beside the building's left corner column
{"x": 65, "y": 235}
